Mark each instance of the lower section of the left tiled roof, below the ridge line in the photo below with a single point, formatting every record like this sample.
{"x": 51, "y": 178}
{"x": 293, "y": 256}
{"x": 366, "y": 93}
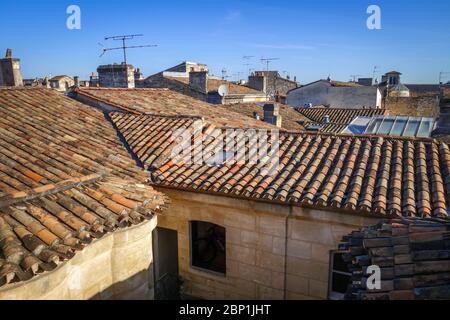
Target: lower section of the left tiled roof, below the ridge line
{"x": 43, "y": 227}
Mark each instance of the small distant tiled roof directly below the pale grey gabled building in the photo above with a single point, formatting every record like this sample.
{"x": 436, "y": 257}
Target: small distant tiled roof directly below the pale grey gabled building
{"x": 339, "y": 116}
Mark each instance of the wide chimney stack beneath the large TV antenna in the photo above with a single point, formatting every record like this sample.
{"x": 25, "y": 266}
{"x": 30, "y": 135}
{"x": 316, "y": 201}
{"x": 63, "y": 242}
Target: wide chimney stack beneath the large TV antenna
{"x": 116, "y": 76}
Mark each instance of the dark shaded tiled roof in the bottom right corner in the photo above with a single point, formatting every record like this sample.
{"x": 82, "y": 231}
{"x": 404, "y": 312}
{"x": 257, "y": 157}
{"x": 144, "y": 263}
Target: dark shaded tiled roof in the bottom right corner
{"x": 413, "y": 256}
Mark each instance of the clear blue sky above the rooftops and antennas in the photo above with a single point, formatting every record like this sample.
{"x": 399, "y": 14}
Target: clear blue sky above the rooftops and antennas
{"x": 312, "y": 38}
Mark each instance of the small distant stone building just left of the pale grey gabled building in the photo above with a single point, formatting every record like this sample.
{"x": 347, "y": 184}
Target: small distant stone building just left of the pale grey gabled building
{"x": 271, "y": 83}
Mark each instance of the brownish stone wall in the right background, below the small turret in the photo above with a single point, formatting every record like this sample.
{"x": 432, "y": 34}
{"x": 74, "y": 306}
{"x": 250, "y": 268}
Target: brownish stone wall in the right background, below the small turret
{"x": 413, "y": 106}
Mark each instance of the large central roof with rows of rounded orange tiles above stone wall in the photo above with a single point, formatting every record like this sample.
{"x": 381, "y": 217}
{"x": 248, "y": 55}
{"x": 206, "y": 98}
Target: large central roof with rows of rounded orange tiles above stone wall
{"x": 360, "y": 174}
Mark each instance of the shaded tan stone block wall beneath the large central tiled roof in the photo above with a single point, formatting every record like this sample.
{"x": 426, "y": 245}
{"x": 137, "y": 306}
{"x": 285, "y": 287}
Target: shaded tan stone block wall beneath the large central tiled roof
{"x": 273, "y": 251}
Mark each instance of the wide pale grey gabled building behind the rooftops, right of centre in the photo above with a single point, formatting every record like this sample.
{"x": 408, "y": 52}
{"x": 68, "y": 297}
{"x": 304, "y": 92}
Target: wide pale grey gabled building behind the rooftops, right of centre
{"x": 335, "y": 94}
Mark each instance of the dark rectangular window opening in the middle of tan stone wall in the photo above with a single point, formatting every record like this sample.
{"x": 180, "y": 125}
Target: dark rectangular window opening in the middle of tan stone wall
{"x": 208, "y": 243}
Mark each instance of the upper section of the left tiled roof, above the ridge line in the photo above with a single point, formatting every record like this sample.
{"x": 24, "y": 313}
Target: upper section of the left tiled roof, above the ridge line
{"x": 46, "y": 137}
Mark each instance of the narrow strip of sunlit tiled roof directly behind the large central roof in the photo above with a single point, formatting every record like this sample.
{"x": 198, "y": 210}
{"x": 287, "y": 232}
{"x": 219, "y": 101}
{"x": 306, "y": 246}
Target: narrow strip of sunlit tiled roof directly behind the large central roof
{"x": 168, "y": 102}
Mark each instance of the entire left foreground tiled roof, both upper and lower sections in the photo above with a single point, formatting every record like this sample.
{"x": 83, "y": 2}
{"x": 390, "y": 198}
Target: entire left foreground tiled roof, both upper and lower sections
{"x": 64, "y": 179}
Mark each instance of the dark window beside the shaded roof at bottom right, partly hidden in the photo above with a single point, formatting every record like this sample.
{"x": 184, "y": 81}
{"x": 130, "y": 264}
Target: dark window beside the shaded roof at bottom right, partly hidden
{"x": 340, "y": 276}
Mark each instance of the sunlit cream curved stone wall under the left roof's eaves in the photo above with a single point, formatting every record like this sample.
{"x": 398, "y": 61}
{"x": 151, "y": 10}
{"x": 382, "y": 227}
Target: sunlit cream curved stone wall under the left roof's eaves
{"x": 118, "y": 266}
